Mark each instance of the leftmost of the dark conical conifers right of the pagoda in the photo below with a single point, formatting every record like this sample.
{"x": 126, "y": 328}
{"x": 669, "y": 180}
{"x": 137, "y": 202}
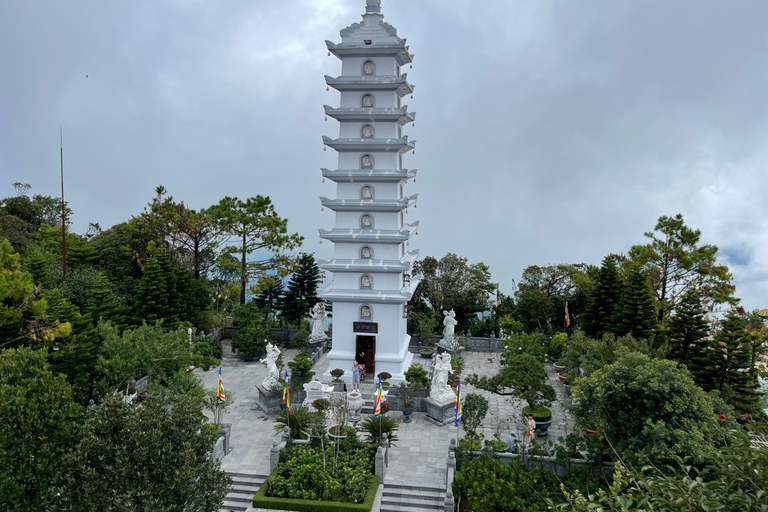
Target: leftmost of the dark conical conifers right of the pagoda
{"x": 599, "y": 313}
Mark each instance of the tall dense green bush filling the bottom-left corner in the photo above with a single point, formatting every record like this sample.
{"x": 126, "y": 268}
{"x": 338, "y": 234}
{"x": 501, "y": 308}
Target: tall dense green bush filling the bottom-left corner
{"x": 38, "y": 426}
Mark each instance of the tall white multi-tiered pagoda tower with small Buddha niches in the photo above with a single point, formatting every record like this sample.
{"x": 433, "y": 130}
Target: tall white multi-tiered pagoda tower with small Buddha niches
{"x": 371, "y": 263}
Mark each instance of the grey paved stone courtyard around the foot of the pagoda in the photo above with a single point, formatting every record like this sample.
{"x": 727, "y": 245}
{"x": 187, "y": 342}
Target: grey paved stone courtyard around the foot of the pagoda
{"x": 420, "y": 457}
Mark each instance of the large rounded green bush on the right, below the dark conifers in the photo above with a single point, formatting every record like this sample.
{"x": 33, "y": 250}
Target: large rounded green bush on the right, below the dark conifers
{"x": 669, "y": 415}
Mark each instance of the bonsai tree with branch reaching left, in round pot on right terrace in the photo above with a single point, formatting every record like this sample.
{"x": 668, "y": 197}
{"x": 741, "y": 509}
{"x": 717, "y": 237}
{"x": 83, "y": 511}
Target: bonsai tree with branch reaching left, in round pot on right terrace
{"x": 523, "y": 377}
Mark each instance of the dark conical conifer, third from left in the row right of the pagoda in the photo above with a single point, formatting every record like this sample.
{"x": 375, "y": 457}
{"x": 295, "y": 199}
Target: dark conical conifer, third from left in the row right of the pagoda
{"x": 688, "y": 329}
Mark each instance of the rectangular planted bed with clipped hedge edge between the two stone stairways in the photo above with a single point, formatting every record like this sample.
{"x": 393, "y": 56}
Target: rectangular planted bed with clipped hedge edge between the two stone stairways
{"x": 332, "y": 473}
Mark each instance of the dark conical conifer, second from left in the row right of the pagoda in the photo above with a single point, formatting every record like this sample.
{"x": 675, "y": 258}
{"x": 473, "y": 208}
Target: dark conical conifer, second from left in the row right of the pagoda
{"x": 636, "y": 313}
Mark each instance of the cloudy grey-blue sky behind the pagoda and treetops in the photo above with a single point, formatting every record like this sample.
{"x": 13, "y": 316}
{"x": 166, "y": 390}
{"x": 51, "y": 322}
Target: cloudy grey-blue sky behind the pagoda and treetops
{"x": 547, "y": 131}
